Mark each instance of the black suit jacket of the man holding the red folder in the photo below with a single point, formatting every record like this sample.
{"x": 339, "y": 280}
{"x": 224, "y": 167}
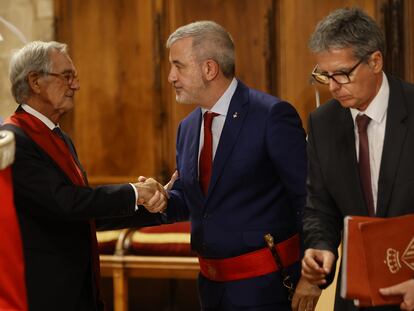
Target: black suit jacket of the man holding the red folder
{"x": 334, "y": 189}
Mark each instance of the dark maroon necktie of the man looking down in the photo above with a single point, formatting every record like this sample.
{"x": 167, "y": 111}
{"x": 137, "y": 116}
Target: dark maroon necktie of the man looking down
{"x": 363, "y": 165}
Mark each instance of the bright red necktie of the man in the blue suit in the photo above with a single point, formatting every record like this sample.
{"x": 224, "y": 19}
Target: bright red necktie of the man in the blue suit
{"x": 206, "y": 155}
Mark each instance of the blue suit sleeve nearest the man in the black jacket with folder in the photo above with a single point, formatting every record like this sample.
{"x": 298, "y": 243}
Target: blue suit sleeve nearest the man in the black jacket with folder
{"x": 286, "y": 142}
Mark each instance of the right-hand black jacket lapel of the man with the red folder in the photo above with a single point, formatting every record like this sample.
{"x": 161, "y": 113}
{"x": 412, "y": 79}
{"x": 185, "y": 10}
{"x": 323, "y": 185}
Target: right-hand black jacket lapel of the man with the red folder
{"x": 395, "y": 133}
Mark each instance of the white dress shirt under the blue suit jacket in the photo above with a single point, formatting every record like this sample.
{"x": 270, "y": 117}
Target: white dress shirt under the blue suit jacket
{"x": 221, "y": 107}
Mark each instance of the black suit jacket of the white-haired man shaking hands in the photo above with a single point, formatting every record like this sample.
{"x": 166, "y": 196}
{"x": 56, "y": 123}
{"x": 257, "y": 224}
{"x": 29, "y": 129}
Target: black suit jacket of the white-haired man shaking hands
{"x": 54, "y": 219}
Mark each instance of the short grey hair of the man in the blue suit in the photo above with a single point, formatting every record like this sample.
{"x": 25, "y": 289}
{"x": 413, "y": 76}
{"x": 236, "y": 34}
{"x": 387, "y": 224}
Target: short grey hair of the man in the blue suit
{"x": 210, "y": 40}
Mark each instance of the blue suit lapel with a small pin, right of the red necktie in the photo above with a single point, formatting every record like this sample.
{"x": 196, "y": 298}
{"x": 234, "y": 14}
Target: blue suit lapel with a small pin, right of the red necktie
{"x": 234, "y": 120}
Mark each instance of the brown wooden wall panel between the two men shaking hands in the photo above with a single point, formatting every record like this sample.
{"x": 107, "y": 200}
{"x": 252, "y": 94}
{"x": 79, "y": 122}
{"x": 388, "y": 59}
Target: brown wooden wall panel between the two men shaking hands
{"x": 114, "y": 120}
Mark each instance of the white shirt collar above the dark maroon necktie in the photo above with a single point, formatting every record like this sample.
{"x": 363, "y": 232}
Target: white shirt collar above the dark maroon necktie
{"x": 377, "y": 109}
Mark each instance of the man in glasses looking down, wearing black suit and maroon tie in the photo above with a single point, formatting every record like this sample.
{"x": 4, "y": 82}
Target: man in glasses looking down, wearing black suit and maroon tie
{"x": 360, "y": 145}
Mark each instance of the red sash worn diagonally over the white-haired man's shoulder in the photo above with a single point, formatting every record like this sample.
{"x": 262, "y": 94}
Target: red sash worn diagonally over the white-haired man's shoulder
{"x": 59, "y": 151}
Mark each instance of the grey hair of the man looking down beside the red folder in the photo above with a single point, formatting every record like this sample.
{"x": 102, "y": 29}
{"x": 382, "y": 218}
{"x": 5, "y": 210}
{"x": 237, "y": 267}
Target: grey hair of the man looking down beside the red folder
{"x": 348, "y": 28}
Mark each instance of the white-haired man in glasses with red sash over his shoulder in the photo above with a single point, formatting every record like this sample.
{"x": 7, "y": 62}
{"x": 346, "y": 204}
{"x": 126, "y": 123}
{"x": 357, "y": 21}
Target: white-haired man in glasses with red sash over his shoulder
{"x": 55, "y": 207}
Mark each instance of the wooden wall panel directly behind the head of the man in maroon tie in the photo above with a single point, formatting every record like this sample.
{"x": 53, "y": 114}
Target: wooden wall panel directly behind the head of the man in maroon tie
{"x": 295, "y": 23}
